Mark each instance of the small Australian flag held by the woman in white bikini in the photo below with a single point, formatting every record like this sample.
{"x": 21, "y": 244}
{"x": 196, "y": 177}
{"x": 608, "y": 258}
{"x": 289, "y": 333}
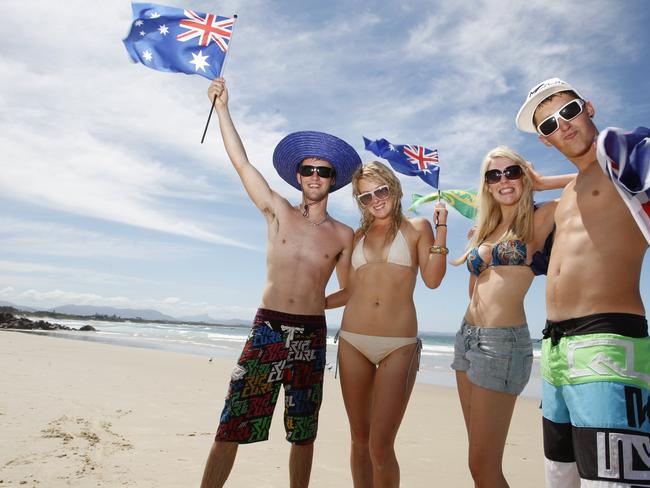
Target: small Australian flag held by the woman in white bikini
{"x": 408, "y": 160}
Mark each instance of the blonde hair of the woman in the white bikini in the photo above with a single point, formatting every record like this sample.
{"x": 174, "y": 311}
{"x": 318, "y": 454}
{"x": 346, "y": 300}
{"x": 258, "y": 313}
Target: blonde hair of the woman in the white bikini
{"x": 382, "y": 175}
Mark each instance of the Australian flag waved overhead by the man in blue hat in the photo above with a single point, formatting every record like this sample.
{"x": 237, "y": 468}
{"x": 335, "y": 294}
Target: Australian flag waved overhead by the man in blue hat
{"x": 179, "y": 40}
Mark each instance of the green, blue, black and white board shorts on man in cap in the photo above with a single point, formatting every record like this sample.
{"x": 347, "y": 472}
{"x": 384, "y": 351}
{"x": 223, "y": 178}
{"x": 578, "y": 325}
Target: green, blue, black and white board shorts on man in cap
{"x": 596, "y": 401}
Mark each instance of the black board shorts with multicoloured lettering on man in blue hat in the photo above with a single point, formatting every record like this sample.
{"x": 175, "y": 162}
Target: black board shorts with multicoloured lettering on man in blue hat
{"x": 282, "y": 349}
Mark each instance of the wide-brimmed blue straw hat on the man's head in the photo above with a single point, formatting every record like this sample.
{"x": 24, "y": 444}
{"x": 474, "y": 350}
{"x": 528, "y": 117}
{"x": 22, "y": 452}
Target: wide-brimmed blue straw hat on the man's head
{"x": 298, "y": 146}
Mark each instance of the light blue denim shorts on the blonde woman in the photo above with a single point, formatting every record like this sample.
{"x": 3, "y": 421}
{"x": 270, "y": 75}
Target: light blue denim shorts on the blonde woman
{"x": 496, "y": 358}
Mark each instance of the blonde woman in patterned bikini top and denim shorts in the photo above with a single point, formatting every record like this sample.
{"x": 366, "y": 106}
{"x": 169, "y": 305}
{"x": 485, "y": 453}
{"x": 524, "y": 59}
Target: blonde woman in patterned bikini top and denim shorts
{"x": 493, "y": 351}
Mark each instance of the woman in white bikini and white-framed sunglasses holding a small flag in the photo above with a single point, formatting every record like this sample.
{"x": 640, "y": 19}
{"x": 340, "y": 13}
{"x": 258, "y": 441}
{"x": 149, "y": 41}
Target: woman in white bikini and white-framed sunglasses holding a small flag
{"x": 379, "y": 348}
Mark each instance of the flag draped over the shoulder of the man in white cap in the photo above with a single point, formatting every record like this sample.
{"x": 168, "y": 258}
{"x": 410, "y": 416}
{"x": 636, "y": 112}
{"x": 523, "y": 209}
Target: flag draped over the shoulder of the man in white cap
{"x": 625, "y": 158}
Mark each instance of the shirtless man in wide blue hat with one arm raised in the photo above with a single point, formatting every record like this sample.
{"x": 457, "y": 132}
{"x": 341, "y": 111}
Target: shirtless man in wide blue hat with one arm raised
{"x": 286, "y": 345}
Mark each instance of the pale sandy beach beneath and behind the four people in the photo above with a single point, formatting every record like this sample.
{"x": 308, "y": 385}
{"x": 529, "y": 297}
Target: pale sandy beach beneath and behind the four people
{"x": 82, "y": 414}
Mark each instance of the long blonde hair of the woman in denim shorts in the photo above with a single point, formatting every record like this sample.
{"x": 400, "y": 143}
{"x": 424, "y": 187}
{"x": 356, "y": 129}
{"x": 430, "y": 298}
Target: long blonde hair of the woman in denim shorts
{"x": 489, "y": 211}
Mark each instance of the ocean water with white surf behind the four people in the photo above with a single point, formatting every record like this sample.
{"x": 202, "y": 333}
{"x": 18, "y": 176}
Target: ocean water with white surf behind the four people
{"x": 227, "y": 341}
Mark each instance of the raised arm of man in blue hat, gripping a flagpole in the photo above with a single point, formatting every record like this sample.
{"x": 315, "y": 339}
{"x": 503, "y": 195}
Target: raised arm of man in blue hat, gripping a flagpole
{"x": 254, "y": 183}
